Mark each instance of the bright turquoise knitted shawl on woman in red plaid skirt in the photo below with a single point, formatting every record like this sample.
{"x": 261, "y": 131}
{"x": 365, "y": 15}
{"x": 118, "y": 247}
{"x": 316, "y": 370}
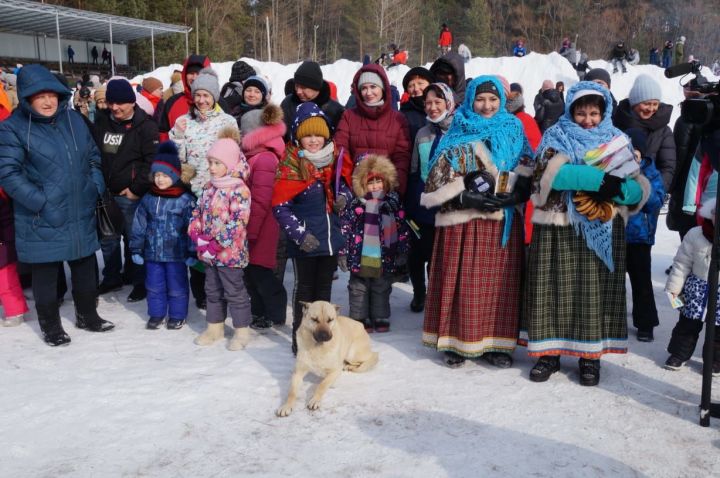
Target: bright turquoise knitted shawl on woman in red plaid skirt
{"x": 503, "y": 134}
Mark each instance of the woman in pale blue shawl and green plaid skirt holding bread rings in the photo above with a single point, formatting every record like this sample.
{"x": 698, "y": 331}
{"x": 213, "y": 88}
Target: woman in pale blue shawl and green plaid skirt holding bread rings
{"x": 574, "y": 300}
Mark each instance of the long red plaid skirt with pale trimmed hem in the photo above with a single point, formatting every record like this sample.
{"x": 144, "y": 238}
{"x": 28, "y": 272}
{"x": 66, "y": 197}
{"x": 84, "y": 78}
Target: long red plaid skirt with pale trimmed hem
{"x": 473, "y": 299}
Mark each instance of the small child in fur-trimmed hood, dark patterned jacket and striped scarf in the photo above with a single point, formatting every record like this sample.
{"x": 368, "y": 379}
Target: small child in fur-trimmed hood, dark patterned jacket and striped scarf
{"x": 375, "y": 241}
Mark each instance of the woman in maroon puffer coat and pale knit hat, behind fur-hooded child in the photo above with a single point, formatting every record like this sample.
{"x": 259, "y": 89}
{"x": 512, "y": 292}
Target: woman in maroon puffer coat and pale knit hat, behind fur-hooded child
{"x": 372, "y": 126}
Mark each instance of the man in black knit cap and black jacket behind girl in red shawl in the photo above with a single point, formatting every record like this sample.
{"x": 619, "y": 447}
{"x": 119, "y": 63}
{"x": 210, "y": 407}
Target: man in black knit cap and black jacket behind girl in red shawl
{"x": 308, "y": 85}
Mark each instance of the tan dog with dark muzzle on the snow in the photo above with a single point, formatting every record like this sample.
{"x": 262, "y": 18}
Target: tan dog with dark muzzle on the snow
{"x": 328, "y": 343}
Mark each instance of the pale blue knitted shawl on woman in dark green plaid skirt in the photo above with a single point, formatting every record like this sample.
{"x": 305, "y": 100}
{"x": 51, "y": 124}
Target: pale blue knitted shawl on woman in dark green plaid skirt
{"x": 570, "y": 138}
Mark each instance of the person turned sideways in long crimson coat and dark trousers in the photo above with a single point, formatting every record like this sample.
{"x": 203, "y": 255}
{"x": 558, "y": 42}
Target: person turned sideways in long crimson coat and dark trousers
{"x": 263, "y": 145}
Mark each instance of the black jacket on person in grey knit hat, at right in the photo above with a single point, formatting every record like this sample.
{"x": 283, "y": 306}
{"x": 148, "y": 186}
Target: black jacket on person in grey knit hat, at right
{"x": 660, "y": 143}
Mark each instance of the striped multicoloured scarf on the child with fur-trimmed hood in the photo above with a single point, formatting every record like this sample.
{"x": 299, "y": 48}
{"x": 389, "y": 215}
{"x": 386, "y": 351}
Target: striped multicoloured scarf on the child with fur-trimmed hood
{"x": 371, "y": 256}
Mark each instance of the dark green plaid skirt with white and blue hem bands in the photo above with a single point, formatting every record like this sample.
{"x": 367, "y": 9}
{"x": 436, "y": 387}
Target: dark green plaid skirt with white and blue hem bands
{"x": 573, "y": 304}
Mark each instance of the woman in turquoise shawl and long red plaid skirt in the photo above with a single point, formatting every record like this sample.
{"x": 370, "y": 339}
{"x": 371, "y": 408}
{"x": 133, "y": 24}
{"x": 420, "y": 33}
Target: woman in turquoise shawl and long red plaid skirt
{"x": 473, "y": 299}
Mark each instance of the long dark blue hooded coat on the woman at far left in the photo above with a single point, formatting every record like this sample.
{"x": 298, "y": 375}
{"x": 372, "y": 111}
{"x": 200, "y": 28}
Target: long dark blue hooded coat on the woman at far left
{"x": 50, "y": 167}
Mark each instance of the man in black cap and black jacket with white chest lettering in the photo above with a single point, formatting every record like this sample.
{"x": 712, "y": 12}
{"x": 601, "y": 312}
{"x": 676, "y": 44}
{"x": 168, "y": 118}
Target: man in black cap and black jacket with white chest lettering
{"x": 127, "y": 138}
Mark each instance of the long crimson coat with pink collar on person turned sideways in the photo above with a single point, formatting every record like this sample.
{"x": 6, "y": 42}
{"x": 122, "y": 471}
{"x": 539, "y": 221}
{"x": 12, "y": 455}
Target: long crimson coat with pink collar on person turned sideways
{"x": 262, "y": 148}
